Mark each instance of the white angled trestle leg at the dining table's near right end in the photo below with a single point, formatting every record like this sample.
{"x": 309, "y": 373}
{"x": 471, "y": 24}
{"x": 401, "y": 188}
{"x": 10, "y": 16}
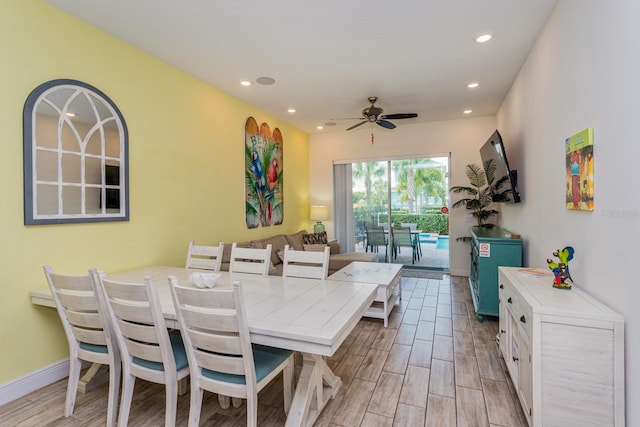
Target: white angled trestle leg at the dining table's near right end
{"x": 316, "y": 385}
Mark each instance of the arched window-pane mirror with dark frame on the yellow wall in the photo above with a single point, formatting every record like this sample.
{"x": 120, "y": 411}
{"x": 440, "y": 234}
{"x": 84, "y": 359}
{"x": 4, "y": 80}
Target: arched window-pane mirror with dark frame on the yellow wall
{"x": 75, "y": 156}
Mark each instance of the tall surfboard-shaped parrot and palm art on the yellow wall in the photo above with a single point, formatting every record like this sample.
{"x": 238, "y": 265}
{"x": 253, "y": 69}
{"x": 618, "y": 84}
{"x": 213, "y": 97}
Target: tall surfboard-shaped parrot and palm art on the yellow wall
{"x": 263, "y": 174}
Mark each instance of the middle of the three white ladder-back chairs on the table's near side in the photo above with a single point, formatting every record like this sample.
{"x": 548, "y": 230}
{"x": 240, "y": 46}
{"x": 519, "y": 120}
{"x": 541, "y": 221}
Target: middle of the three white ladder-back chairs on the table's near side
{"x": 149, "y": 351}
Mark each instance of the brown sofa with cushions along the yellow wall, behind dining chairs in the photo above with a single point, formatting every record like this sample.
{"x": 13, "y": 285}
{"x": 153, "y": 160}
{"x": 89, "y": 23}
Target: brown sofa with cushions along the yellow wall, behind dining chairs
{"x": 300, "y": 241}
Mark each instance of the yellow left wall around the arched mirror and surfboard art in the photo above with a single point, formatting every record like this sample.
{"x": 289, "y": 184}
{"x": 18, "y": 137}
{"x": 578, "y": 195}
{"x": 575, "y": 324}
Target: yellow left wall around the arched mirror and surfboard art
{"x": 186, "y": 170}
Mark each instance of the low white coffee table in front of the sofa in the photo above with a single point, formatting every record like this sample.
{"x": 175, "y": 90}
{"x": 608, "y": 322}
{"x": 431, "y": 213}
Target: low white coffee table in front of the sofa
{"x": 386, "y": 276}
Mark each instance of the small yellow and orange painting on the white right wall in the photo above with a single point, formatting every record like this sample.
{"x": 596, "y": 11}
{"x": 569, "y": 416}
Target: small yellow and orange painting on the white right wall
{"x": 579, "y": 165}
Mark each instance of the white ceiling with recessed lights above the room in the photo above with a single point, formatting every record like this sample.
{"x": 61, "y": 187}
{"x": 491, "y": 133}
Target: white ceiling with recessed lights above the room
{"x": 328, "y": 56}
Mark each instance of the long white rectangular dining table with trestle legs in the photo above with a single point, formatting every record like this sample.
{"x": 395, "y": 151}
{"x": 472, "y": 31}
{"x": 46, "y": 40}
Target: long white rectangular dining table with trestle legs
{"x": 306, "y": 315}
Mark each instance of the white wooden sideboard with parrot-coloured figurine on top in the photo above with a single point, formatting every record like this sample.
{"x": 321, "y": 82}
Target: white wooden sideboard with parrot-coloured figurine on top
{"x": 564, "y": 352}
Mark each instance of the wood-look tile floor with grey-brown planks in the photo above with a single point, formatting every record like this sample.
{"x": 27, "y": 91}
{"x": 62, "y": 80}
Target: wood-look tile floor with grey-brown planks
{"x": 435, "y": 365}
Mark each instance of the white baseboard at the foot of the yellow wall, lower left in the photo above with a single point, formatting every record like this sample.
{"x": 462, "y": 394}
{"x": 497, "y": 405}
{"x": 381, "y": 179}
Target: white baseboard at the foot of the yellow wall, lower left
{"x": 33, "y": 381}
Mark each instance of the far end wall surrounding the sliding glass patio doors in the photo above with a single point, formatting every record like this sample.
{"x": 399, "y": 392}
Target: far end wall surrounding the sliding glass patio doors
{"x": 462, "y": 138}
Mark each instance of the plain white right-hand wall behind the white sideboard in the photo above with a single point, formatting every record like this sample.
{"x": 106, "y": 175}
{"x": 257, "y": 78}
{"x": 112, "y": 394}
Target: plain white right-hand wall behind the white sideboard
{"x": 584, "y": 71}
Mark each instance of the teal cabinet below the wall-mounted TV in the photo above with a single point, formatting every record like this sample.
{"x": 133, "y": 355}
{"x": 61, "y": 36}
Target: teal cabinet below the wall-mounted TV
{"x": 490, "y": 249}
